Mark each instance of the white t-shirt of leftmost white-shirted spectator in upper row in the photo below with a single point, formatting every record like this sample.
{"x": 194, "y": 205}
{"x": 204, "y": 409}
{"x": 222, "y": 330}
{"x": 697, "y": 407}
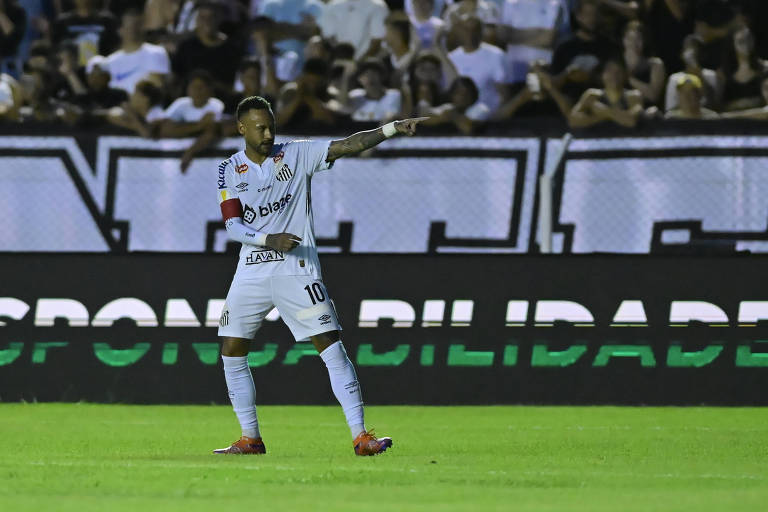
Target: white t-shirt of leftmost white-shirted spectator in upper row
{"x": 128, "y": 69}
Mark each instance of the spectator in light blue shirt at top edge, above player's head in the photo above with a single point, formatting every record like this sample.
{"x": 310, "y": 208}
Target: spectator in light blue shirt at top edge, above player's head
{"x": 295, "y": 22}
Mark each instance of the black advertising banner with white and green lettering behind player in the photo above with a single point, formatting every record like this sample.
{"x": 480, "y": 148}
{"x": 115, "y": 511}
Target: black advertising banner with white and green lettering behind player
{"x": 421, "y": 329}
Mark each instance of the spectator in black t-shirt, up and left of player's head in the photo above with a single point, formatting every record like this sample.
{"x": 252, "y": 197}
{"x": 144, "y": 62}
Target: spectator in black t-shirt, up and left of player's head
{"x": 209, "y": 48}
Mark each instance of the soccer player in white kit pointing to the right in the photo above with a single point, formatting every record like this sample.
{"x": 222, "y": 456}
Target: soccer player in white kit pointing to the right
{"x": 264, "y": 194}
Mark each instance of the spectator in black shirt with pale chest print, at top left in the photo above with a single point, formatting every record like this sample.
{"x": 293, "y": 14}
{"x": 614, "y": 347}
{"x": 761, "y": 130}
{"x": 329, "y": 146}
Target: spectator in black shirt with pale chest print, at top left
{"x": 93, "y": 30}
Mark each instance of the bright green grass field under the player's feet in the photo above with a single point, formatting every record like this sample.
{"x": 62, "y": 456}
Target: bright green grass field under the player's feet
{"x": 118, "y": 458}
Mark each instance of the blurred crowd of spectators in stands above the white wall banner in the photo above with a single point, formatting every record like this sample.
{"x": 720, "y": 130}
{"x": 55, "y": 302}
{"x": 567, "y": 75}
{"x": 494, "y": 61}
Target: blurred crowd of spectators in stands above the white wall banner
{"x": 177, "y": 68}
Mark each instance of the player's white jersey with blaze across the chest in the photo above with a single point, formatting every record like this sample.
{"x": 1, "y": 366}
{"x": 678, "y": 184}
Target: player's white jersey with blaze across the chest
{"x": 276, "y": 198}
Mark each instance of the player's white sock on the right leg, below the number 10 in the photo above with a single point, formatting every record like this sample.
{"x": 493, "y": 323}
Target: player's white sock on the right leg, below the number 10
{"x": 345, "y": 386}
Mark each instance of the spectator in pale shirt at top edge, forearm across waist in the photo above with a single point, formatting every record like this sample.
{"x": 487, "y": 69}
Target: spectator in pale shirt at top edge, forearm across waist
{"x": 527, "y": 29}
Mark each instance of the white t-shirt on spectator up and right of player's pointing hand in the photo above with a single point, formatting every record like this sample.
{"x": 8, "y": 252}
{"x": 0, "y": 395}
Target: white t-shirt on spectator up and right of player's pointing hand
{"x": 485, "y": 66}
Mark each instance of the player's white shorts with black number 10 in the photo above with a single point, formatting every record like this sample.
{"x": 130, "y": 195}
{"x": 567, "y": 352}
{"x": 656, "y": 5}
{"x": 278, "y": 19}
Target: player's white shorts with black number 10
{"x": 302, "y": 301}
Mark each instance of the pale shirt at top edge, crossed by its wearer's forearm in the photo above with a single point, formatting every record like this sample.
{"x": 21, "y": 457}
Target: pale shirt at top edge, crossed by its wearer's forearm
{"x": 529, "y": 14}
